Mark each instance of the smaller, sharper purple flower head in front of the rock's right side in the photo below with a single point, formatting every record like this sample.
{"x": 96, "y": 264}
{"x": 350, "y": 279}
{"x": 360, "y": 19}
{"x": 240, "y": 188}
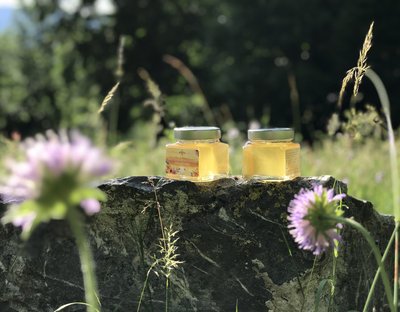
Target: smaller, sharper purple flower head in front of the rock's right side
{"x": 309, "y": 219}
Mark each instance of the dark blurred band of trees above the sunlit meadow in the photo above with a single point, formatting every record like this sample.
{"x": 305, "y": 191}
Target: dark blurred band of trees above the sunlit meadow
{"x": 276, "y": 61}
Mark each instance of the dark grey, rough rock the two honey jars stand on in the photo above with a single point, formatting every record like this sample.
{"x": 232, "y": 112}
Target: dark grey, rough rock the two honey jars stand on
{"x": 233, "y": 241}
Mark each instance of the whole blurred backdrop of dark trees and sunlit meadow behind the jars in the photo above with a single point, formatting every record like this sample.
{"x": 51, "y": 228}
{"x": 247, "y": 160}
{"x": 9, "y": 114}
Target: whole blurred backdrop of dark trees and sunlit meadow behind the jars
{"x": 235, "y": 64}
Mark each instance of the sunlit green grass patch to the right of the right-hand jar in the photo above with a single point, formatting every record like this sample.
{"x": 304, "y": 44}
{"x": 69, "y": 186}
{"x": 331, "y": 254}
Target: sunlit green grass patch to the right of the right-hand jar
{"x": 364, "y": 167}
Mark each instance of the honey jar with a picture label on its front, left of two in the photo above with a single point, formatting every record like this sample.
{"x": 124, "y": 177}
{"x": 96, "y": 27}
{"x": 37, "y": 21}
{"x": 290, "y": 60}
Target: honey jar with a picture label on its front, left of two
{"x": 198, "y": 155}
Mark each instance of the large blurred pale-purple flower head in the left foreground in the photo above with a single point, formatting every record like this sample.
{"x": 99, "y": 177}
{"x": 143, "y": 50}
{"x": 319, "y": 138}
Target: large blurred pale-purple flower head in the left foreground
{"x": 53, "y": 176}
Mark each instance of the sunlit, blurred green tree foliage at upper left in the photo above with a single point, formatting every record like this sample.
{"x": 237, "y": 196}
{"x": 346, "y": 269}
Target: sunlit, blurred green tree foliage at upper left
{"x": 45, "y": 82}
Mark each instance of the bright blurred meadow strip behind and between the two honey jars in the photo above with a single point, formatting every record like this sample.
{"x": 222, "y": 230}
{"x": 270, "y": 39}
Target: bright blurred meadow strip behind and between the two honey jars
{"x": 363, "y": 166}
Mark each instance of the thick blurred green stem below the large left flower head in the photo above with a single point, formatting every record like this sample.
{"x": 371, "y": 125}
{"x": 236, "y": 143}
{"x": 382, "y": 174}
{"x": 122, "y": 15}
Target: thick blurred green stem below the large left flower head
{"x": 87, "y": 264}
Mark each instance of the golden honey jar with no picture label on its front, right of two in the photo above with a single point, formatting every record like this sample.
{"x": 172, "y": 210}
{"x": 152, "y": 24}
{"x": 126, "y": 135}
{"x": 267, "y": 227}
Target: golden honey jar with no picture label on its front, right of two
{"x": 271, "y": 154}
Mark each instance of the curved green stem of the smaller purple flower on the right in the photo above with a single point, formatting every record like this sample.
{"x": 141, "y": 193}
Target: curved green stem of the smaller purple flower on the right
{"x": 376, "y": 252}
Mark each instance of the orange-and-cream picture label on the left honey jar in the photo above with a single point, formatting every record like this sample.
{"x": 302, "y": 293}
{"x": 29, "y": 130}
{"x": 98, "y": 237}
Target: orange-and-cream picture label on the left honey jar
{"x": 182, "y": 162}
